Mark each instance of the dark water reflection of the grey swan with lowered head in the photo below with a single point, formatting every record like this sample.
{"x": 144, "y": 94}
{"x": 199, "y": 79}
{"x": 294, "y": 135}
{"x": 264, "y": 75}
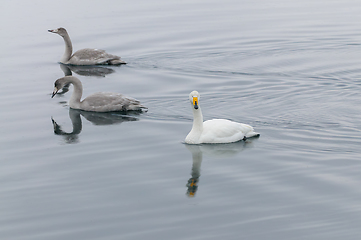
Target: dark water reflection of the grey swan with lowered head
{"x": 94, "y": 117}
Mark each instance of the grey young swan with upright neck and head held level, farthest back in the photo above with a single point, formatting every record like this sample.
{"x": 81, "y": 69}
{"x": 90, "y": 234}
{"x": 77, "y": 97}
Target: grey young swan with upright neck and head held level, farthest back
{"x": 86, "y": 56}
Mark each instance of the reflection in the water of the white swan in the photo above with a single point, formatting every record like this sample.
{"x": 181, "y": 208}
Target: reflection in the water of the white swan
{"x": 215, "y": 150}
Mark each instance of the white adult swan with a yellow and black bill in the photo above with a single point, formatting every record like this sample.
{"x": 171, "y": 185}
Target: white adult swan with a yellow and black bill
{"x": 215, "y": 130}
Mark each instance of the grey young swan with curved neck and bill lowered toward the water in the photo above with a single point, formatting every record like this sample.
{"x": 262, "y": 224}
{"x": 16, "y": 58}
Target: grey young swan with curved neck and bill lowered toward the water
{"x": 97, "y": 102}
